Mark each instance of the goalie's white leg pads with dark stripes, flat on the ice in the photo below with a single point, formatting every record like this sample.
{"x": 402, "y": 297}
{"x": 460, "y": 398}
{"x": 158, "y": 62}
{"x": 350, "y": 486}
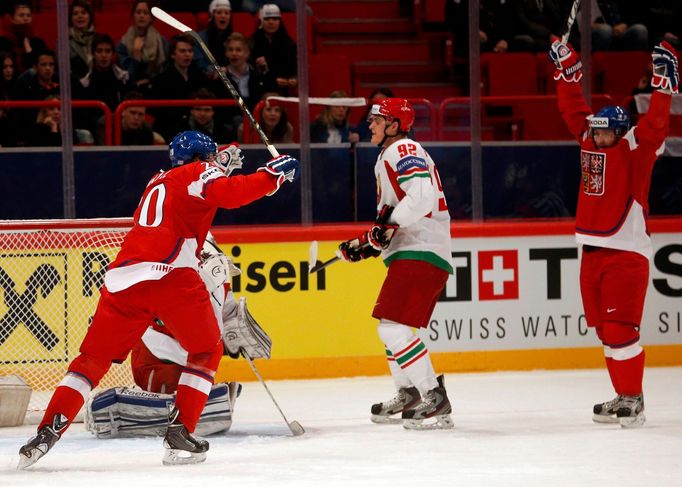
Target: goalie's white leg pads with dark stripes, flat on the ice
{"x": 122, "y": 412}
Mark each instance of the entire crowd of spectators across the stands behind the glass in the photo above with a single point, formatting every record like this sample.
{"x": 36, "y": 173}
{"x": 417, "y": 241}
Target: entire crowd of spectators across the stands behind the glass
{"x": 144, "y": 64}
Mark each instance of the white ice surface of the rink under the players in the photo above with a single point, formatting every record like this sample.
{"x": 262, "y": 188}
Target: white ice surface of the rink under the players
{"x": 511, "y": 429}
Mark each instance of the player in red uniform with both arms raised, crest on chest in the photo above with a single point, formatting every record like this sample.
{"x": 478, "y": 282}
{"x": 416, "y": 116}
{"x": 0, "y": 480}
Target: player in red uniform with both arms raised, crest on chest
{"x": 611, "y": 221}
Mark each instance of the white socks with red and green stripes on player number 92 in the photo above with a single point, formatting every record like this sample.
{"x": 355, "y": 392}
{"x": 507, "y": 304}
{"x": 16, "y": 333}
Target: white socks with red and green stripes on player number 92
{"x": 411, "y": 358}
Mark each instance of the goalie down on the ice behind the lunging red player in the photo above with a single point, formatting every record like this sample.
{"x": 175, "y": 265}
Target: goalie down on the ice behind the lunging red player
{"x": 158, "y": 361}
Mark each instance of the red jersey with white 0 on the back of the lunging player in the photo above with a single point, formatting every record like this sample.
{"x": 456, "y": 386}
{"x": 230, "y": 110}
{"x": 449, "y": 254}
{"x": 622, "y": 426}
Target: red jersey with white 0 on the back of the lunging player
{"x": 174, "y": 215}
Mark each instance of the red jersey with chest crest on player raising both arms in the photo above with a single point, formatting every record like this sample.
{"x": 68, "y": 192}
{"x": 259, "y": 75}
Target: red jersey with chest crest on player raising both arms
{"x": 614, "y": 188}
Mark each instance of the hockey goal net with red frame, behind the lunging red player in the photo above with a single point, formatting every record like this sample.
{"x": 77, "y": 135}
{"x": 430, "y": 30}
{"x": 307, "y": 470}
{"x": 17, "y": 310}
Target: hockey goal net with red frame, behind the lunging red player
{"x": 50, "y": 276}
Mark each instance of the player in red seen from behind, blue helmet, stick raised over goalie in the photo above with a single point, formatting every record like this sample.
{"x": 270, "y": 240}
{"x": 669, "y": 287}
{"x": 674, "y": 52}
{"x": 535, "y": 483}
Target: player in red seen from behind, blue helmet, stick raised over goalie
{"x": 155, "y": 276}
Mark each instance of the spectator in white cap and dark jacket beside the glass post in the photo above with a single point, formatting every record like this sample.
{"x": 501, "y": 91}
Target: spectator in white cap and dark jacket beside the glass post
{"x": 273, "y": 50}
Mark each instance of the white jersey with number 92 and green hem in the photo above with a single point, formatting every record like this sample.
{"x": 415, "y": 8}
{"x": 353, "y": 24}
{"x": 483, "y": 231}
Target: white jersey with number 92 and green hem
{"x": 408, "y": 180}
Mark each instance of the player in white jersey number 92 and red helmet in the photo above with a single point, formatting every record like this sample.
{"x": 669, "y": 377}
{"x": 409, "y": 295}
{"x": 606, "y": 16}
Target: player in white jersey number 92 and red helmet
{"x": 412, "y": 235}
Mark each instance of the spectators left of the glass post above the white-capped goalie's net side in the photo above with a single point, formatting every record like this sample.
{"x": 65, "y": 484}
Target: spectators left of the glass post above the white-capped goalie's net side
{"x": 143, "y": 65}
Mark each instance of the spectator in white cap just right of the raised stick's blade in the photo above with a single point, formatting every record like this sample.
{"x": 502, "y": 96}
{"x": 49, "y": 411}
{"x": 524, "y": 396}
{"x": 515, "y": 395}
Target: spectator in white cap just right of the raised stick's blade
{"x": 215, "y": 35}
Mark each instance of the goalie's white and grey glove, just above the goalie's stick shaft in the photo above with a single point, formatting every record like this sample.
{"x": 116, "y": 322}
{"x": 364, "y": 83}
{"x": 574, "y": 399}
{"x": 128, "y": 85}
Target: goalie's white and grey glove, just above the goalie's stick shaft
{"x": 242, "y": 334}
